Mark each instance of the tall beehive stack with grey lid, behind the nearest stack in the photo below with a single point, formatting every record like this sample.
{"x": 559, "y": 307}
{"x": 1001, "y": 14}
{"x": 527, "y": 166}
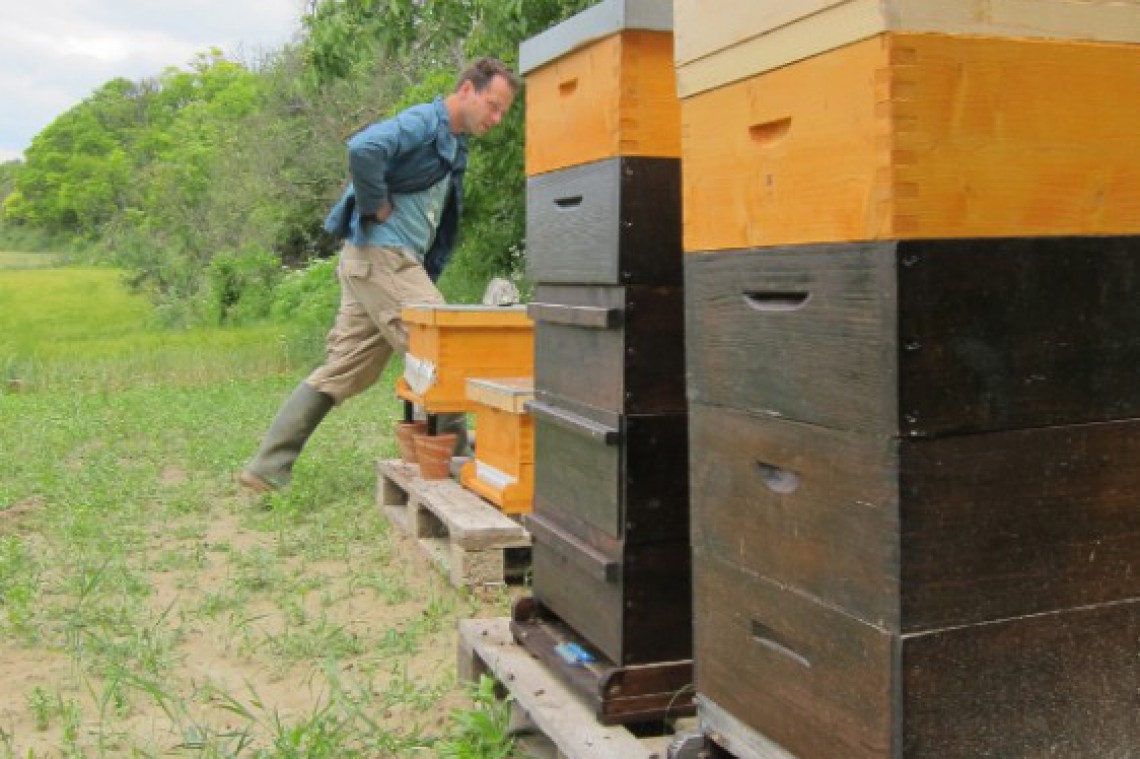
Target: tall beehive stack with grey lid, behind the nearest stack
{"x": 610, "y": 523}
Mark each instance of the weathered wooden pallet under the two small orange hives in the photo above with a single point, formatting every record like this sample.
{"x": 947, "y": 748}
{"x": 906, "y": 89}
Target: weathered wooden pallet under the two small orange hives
{"x": 475, "y": 543}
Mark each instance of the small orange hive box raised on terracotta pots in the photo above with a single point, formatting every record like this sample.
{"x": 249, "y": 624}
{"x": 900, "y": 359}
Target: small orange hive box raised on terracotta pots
{"x": 449, "y": 345}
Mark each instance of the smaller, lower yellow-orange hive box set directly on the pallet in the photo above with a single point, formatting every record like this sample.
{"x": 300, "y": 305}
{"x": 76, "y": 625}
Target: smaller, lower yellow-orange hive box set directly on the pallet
{"x": 503, "y": 470}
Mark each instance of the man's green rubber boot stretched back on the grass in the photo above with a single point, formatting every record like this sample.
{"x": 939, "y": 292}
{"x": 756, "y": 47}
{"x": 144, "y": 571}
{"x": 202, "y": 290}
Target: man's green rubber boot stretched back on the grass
{"x": 273, "y": 467}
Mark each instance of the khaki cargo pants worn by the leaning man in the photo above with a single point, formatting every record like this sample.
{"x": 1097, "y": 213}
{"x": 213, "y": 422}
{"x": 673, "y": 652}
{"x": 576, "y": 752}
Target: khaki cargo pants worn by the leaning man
{"x": 377, "y": 283}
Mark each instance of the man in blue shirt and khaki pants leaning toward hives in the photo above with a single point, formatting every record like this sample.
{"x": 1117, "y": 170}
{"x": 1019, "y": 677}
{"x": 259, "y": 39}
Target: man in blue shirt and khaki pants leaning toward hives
{"x": 400, "y": 219}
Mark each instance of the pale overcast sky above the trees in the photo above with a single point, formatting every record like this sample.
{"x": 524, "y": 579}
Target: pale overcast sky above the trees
{"x": 56, "y": 53}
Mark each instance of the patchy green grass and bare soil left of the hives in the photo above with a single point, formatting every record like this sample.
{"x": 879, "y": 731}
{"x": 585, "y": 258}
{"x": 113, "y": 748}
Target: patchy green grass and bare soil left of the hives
{"x": 150, "y": 609}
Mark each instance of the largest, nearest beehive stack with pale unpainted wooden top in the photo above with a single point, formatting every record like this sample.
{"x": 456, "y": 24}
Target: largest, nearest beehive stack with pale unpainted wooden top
{"x": 913, "y": 268}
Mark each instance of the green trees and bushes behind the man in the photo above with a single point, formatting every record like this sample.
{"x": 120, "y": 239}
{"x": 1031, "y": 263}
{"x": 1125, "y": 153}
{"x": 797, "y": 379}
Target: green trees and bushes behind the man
{"x": 208, "y": 183}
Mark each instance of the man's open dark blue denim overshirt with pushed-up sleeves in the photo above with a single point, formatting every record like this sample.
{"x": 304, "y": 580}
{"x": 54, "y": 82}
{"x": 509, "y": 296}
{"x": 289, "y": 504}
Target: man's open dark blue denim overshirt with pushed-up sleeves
{"x": 408, "y": 153}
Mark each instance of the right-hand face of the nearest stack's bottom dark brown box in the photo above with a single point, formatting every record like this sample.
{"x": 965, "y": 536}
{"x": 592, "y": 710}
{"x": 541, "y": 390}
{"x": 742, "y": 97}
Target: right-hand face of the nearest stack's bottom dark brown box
{"x": 1058, "y": 685}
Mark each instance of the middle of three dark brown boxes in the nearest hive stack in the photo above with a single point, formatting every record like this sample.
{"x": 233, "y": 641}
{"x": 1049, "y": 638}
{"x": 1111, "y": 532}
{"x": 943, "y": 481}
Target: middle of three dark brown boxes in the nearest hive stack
{"x": 922, "y": 535}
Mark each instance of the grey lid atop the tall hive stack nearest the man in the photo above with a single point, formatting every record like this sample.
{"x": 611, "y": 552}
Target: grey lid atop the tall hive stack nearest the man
{"x": 604, "y": 20}
